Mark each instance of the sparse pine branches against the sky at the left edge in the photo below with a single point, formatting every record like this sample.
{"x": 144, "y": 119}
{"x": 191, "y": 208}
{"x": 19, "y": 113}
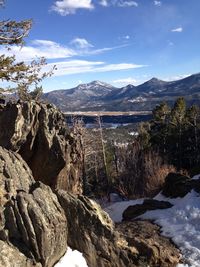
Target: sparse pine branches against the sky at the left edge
{"x": 21, "y": 77}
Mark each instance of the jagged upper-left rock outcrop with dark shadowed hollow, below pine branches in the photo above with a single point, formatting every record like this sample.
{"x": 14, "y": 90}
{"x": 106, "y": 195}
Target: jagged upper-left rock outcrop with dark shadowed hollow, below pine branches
{"x": 38, "y": 132}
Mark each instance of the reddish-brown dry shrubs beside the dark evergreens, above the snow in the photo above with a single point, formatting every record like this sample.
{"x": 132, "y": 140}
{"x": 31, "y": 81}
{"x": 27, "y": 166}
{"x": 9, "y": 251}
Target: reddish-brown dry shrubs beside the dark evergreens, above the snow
{"x": 145, "y": 173}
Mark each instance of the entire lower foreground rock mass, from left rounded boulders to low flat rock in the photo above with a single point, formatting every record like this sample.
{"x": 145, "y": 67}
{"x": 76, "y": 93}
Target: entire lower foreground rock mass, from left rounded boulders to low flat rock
{"x": 36, "y": 226}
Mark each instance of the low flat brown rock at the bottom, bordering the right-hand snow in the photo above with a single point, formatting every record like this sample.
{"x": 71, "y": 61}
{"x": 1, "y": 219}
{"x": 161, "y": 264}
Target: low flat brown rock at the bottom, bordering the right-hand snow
{"x": 145, "y": 237}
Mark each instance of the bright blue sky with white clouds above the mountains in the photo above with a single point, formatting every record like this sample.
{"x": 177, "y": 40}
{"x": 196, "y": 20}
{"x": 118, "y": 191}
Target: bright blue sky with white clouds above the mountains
{"x": 115, "y": 41}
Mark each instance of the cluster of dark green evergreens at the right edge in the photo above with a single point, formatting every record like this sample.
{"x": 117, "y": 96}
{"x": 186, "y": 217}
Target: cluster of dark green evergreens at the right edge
{"x": 174, "y": 132}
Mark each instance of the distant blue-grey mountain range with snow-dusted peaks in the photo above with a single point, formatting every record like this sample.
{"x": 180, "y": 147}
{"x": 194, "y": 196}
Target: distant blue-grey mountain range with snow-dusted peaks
{"x": 100, "y": 96}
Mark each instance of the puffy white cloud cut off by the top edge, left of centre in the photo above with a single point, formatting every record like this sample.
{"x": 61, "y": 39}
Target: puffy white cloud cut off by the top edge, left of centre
{"x": 66, "y": 7}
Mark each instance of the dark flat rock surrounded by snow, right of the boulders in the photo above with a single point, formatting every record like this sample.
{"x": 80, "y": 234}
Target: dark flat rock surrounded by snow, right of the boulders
{"x": 134, "y": 211}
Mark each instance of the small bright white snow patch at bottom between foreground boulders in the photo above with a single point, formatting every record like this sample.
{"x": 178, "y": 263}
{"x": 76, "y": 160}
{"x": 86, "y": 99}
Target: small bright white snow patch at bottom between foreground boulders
{"x": 72, "y": 258}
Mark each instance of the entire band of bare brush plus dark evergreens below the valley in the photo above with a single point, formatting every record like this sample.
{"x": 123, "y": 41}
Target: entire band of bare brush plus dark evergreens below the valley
{"x": 169, "y": 142}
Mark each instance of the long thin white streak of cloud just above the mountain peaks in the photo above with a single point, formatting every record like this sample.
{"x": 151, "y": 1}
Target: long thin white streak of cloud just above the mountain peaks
{"x": 84, "y": 66}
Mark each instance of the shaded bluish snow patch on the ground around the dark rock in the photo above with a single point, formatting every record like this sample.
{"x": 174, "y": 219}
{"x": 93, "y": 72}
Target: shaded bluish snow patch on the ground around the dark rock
{"x": 181, "y": 223}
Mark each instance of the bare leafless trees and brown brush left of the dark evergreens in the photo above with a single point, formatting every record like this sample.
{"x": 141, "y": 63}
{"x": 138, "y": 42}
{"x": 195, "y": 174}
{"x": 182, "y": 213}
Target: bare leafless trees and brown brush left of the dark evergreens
{"x": 124, "y": 168}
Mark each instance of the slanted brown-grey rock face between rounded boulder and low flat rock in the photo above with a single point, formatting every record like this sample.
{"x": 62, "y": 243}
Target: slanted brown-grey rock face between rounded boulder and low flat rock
{"x": 92, "y": 232}
